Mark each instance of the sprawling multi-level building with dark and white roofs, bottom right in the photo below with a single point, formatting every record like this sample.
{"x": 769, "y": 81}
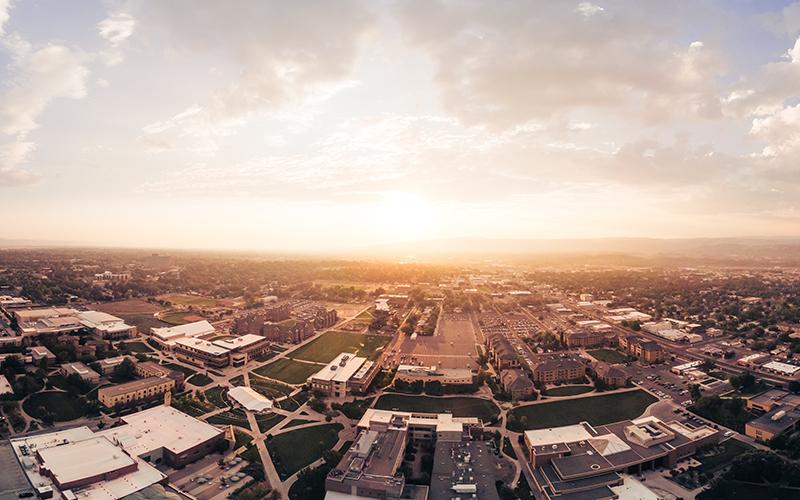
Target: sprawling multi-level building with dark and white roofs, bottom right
{"x": 587, "y": 461}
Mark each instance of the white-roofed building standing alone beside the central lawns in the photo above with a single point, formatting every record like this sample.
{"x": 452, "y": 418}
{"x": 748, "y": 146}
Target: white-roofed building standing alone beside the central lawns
{"x": 346, "y": 373}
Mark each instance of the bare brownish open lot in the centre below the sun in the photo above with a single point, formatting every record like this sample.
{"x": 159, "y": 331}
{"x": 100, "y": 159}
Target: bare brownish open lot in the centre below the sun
{"x": 453, "y": 345}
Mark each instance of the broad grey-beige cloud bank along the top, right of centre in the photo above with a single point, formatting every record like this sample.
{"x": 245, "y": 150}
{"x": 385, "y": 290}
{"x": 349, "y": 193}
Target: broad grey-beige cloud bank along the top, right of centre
{"x": 505, "y": 63}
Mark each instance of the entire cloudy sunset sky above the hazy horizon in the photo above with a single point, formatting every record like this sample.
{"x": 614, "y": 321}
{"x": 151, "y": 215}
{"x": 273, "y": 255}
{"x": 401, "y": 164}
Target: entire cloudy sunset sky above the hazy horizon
{"x": 305, "y": 125}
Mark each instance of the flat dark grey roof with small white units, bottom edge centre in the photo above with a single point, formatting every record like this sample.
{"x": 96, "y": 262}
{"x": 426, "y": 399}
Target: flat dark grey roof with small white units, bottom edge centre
{"x": 463, "y": 470}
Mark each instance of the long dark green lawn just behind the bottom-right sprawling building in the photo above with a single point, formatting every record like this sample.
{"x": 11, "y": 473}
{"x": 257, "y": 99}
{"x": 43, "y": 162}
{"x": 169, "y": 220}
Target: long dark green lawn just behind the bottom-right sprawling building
{"x": 597, "y": 410}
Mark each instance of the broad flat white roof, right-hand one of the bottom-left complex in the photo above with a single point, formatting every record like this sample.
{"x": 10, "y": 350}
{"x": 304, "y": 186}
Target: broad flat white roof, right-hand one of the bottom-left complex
{"x": 160, "y": 427}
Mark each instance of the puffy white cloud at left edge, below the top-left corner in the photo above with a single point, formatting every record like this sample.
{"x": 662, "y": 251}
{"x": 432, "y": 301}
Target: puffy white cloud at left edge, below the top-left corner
{"x": 40, "y": 76}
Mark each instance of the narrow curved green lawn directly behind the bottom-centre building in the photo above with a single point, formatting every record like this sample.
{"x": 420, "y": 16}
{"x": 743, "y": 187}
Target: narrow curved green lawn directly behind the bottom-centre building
{"x": 458, "y": 406}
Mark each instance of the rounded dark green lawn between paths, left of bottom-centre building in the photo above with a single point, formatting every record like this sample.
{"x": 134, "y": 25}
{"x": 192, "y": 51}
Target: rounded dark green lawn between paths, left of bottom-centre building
{"x": 289, "y": 458}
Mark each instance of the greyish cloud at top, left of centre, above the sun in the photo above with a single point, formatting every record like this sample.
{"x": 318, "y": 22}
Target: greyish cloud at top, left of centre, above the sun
{"x": 285, "y": 52}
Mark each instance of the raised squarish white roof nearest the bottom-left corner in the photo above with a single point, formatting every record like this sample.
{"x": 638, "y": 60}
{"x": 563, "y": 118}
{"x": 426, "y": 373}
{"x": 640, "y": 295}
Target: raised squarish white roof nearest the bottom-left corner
{"x": 84, "y": 459}
